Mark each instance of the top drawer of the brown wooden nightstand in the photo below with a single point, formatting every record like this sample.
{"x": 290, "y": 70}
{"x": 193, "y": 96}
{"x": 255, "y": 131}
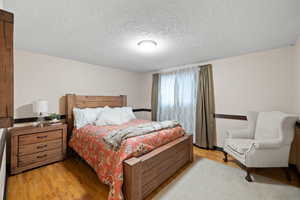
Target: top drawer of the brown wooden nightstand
{"x": 40, "y": 137}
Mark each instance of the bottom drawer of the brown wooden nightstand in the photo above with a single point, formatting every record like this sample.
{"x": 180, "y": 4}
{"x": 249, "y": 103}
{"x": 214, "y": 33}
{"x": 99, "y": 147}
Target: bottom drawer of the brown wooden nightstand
{"x": 38, "y": 157}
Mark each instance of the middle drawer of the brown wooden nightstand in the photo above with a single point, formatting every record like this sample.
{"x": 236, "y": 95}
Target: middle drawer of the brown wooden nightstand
{"x": 38, "y": 147}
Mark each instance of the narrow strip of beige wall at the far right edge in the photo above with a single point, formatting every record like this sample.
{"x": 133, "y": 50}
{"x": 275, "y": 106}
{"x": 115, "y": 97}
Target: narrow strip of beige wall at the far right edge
{"x": 296, "y": 76}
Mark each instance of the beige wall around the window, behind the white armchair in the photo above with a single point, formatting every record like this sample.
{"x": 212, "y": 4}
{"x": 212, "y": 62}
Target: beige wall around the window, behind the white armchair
{"x": 259, "y": 81}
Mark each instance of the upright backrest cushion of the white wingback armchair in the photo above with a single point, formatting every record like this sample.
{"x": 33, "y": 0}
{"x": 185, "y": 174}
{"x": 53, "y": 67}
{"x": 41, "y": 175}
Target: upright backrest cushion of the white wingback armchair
{"x": 267, "y": 125}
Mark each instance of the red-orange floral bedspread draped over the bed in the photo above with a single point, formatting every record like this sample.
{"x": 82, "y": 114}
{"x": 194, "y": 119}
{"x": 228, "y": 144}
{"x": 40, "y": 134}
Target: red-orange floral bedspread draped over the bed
{"x": 88, "y": 143}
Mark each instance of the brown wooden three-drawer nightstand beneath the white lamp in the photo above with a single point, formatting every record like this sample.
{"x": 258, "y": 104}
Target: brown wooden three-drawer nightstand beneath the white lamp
{"x": 36, "y": 146}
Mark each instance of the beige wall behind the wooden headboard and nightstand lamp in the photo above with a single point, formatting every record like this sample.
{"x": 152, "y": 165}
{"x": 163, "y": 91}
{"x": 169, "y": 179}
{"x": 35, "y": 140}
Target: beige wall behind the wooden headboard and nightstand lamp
{"x": 44, "y": 77}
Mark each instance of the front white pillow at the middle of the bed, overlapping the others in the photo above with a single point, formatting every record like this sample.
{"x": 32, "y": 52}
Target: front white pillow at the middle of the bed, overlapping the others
{"x": 114, "y": 116}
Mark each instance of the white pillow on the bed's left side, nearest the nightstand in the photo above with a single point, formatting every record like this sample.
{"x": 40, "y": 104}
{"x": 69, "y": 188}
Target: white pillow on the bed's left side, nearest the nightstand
{"x": 85, "y": 116}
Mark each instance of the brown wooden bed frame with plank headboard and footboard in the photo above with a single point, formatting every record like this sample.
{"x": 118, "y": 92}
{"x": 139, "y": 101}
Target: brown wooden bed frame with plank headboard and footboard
{"x": 143, "y": 174}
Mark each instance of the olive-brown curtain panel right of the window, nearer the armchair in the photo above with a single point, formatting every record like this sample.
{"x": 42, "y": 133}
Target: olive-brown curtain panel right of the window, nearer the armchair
{"x": 205, "y": 122}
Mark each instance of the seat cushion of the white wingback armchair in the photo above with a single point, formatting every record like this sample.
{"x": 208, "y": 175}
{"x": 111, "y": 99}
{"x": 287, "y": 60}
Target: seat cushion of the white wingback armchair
{"x": 239, "y": 146}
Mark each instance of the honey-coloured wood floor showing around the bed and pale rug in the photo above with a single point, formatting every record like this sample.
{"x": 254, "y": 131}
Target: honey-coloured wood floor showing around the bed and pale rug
{"x": 74, "y": 180}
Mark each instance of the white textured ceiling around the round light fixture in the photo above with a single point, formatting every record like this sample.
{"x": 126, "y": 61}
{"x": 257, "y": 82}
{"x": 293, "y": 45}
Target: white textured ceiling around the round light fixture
{"x": 105, "y": 32}
